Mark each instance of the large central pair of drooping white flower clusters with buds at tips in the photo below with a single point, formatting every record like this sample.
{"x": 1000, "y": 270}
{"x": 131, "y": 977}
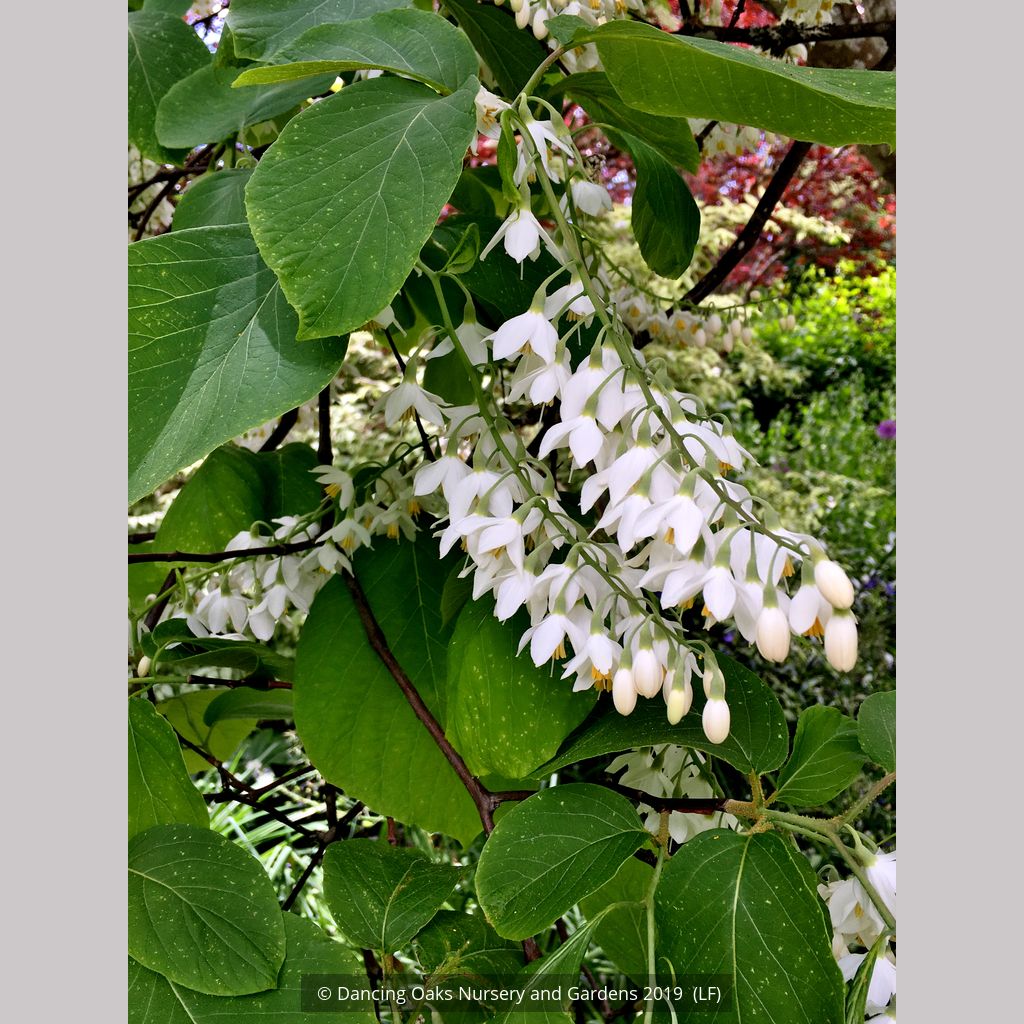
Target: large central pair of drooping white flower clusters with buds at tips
{"x": 659, "y": 527}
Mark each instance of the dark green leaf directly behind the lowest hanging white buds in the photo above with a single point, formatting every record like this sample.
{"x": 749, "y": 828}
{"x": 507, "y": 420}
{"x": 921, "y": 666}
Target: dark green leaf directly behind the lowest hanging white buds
{"x": 758, "y": 740}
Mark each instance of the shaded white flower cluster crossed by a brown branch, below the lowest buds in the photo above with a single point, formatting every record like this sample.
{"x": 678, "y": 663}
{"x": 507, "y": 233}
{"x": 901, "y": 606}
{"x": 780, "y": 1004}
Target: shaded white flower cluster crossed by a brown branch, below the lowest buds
{"x": 671, "y": 773}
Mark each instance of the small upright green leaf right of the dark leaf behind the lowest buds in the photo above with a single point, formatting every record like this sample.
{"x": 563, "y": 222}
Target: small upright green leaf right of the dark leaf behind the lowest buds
{"x": 827, "y": 758}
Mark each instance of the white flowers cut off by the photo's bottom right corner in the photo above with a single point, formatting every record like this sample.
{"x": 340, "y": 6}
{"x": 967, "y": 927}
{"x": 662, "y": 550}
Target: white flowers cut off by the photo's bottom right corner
{"x": 857, "y": 922}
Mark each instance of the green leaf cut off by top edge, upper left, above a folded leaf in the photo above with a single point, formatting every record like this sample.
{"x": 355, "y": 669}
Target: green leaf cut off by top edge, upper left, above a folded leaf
{"x": 261, "y": 28}
